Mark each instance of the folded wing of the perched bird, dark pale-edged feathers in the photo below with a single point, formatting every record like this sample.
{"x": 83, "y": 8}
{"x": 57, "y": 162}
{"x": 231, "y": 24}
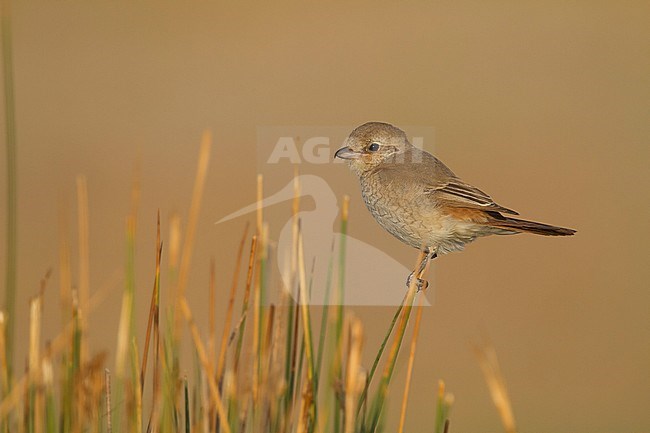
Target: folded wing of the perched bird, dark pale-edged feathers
{"x": 456, "y": 193}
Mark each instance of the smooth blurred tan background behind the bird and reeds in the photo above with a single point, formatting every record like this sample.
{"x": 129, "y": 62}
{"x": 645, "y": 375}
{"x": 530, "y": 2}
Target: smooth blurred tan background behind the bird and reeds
{"x": 544, "y": 105}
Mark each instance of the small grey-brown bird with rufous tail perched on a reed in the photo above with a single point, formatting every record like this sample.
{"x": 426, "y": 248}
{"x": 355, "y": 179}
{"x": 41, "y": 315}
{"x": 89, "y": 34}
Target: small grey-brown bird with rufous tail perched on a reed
{"x": 415, "y": 197}
